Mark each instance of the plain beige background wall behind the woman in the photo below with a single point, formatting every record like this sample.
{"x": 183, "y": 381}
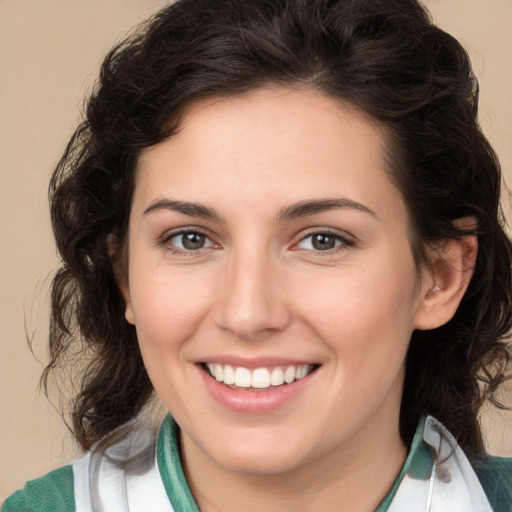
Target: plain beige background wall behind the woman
{"x": 49, "y": 54}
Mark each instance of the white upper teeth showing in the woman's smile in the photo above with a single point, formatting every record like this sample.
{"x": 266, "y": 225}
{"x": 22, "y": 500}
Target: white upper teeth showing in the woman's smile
{"x": 260, "y": 377}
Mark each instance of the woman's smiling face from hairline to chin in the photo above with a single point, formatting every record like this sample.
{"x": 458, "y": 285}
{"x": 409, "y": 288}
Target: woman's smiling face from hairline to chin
{"x": 271, "y": 280}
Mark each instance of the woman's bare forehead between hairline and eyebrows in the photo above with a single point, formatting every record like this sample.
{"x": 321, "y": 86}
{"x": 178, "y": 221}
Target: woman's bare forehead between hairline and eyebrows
{"x": 267, "y": 145}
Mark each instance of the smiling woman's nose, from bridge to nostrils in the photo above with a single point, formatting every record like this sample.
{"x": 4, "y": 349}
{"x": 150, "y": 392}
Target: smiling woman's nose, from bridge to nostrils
{"x": 253, "y": 302}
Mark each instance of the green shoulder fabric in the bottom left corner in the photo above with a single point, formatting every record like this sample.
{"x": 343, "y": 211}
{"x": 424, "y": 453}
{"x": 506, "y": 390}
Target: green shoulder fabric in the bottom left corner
{"x": 50, "y": 493}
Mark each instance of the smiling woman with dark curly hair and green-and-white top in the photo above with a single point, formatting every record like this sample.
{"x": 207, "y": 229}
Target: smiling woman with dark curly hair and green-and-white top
{"x": 281, "y": 217}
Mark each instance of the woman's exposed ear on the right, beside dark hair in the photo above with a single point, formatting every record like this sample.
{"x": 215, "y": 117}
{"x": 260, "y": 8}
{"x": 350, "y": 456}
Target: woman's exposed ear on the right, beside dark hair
{"x": 451, "y": 267}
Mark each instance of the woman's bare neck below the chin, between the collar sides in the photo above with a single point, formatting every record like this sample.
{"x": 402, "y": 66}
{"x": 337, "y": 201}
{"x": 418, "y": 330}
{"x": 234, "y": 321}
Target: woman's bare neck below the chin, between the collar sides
{"x": 356, "y": 476}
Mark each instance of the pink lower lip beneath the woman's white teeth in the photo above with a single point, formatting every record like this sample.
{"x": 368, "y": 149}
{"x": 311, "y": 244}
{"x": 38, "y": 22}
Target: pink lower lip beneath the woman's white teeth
{"x": 255, "y": 402}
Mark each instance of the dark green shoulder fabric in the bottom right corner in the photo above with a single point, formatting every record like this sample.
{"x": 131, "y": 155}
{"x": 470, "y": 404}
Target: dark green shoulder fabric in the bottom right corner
{"x": 495, "y": 475}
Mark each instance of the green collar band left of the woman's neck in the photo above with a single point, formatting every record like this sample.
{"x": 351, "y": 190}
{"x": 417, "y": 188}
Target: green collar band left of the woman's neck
{"x": 171, "y": 471}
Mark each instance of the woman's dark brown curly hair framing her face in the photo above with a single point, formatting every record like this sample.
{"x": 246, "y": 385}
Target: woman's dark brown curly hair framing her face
{"x": 388, "y": 59}
